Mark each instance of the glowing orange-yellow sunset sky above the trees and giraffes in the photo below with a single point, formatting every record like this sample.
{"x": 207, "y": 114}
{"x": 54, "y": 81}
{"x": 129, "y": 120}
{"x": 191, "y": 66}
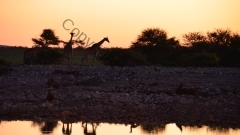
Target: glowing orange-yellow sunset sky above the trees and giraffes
{"x": 120, "y": 20}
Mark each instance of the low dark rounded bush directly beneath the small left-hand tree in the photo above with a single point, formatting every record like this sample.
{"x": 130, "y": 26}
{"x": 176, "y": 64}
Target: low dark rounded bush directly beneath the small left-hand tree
{"x": 48, "y": 56}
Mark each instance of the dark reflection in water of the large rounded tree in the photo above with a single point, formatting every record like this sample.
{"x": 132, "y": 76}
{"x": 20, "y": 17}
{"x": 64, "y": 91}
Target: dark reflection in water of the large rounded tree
{"x": 155, "y": 129}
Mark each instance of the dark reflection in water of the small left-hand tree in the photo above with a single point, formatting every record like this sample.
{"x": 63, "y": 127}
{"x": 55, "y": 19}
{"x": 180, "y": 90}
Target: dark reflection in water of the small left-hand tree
{"x": 46, "y": 127}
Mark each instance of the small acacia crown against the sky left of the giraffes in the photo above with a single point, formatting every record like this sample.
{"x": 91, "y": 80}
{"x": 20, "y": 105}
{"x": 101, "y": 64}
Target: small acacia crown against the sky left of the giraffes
{"x": 47, "y": 38}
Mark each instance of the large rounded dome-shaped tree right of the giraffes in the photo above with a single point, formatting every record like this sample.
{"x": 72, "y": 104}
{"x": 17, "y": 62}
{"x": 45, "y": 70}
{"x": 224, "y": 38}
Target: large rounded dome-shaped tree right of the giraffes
{"x": 155, "y": 45}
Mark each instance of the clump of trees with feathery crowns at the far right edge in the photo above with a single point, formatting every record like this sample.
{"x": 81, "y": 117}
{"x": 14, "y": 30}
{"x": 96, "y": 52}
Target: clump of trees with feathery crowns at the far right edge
{"x": 222, "y": 44}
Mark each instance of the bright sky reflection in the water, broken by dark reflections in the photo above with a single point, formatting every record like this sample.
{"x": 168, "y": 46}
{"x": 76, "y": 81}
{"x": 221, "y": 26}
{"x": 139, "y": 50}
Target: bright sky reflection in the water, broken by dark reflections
{"x": 27, "y": 127}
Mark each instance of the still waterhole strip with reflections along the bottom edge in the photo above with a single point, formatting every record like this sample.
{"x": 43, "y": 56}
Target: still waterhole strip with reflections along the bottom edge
{"x": 58, "y": 128}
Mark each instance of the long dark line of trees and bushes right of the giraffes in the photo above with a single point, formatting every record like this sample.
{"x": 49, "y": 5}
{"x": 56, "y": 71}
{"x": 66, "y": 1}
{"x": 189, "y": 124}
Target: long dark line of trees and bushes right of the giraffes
{"x": 153, "y": 47}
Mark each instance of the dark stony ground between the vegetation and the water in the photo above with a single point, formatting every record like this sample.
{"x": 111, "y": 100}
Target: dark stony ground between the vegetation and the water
{"x": 122, "y": 95}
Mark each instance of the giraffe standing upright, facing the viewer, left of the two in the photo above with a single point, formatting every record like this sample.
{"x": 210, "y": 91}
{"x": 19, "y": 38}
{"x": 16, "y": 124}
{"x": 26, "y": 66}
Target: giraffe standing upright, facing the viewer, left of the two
{"x": 67, "y": 50}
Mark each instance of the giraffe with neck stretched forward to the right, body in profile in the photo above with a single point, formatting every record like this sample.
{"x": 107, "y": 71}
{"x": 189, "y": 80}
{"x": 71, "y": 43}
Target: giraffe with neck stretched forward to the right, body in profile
{"x": 93, "y": 50}
